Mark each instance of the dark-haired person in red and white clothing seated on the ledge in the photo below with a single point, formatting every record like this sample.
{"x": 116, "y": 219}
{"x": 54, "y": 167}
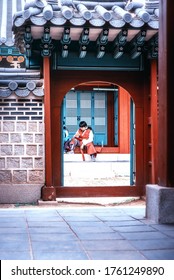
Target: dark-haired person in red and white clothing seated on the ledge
{"x": 84, "y": 138}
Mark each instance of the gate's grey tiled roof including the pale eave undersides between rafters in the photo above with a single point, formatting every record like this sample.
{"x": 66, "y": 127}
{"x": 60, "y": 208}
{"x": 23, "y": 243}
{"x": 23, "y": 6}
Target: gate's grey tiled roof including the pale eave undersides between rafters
{"x": 75, "y": 14}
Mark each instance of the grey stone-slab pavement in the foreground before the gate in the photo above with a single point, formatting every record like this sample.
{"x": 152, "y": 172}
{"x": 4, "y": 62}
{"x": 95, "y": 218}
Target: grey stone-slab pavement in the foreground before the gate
{"x": 83, "y": 233}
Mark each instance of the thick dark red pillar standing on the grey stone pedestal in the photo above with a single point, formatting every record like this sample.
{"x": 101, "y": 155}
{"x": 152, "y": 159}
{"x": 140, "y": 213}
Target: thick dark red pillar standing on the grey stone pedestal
{"x": 166, "y": 96}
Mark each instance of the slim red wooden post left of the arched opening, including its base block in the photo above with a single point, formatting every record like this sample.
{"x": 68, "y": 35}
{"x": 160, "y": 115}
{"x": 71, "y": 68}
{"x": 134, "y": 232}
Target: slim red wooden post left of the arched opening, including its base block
{"x": 48, "y": 191}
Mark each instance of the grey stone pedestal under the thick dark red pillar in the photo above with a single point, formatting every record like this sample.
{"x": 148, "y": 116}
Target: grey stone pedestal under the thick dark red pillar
{"x": 160, "y": 204}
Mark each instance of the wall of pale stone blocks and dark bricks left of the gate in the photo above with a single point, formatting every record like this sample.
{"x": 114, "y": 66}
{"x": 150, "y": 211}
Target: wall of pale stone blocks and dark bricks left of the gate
{"x": 21, "y": 140}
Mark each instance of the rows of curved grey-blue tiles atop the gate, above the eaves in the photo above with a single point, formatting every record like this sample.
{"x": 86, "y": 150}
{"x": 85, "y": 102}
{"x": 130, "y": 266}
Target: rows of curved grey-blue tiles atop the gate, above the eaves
{"x": 96, "y": 13}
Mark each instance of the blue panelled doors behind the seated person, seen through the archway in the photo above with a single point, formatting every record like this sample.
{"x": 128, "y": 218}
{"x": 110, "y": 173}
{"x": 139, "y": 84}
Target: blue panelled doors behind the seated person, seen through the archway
{"x": 90, "y": 106}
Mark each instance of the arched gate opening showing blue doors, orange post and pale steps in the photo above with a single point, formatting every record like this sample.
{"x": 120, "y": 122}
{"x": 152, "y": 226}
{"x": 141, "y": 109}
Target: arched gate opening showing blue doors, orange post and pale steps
{"x": 110, "y": 111}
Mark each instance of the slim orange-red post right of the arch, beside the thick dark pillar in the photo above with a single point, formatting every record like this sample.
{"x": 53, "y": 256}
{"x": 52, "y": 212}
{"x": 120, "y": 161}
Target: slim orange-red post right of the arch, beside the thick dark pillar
{"x": 154, "y": 122}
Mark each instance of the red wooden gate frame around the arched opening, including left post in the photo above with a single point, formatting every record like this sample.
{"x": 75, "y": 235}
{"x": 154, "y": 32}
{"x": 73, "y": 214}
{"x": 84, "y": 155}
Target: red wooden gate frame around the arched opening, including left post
{"x": 57, "y": 84}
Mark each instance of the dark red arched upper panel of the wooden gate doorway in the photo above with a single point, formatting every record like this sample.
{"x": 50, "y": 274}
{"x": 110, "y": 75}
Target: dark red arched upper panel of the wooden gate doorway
{"x": 132, "y": 82}
